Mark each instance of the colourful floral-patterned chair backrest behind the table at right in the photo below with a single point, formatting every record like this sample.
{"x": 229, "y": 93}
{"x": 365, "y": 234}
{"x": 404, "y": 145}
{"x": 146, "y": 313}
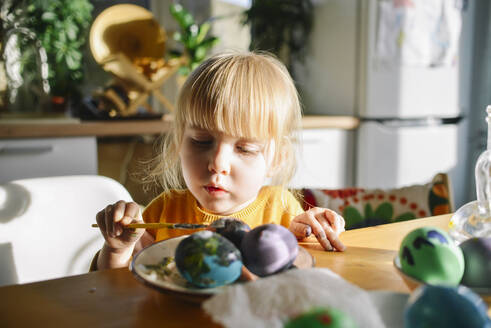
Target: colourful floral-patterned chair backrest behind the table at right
{"x": 368, "y": 207}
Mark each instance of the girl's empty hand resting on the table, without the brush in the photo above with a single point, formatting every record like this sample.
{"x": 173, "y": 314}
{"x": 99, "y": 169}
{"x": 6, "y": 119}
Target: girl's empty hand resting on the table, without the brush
{"x": 324, "y": 223}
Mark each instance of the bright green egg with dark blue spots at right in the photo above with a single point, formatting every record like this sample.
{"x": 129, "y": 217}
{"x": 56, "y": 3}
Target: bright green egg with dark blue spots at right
{"x": 430, "y": 255}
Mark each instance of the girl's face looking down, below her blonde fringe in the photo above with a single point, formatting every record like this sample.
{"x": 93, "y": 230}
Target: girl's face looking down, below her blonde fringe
{"x": 224, "y": 173}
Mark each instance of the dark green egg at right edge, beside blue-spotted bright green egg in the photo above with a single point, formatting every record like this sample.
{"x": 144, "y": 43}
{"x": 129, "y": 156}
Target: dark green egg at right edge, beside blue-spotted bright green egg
{"x": 477, "y": 257}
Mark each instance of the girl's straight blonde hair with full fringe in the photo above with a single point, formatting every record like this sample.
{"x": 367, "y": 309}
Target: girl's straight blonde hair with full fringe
{"x": 247, "y": 95}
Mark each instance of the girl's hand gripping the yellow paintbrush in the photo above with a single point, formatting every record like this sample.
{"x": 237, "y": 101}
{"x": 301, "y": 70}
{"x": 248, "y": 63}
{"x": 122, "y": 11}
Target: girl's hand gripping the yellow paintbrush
{"x": 112, "y": 220}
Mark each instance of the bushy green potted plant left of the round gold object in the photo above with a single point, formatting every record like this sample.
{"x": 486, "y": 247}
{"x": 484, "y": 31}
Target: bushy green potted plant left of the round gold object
{"x": 62, "y": 27}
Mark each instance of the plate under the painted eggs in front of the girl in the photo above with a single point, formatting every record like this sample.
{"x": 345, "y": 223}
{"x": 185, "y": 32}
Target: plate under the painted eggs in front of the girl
{"x": 166, "y": 278}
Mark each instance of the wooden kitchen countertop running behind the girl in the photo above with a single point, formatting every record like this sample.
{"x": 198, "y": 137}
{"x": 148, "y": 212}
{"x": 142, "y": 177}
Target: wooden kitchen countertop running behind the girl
{"x": 70, "y": 128}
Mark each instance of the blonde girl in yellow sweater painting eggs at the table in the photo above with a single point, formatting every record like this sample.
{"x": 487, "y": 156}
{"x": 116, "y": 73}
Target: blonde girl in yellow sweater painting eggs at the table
{"x": 235, "y": 126}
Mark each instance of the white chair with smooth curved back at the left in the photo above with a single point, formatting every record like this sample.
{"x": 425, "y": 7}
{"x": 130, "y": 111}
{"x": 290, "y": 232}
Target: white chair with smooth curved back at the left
{"x": 45, "y": 225}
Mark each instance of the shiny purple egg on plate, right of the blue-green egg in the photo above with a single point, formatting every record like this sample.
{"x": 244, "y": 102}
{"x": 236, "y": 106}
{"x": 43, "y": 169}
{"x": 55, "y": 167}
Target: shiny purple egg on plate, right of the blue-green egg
{"x": 268, "y": 249}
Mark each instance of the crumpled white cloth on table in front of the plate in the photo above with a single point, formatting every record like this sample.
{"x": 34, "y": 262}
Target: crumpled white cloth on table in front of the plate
{"x": 272, "y": 301}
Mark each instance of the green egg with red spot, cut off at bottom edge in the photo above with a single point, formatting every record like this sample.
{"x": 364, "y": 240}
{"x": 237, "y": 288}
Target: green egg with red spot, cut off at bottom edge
{"x": 322, "y": 318}
